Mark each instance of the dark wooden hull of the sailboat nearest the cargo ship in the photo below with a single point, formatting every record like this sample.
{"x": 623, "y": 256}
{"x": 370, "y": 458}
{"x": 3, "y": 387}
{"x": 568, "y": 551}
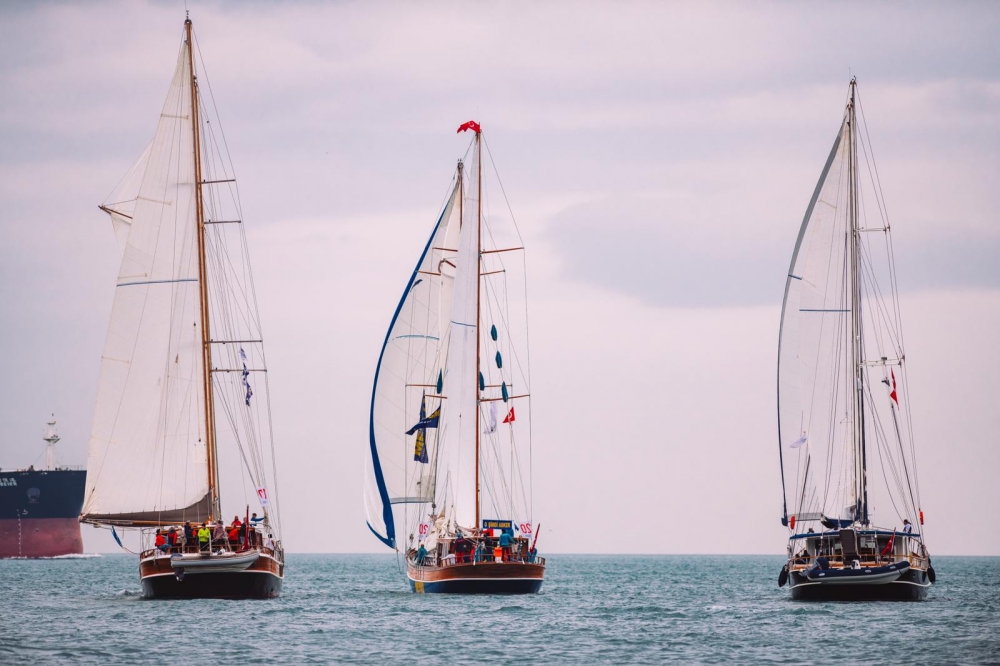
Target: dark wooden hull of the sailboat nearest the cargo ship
{"x": 262, "y": 580}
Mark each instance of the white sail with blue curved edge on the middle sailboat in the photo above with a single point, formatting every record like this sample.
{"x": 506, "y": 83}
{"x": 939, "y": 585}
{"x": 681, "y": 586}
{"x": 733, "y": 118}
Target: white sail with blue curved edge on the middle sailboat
{"x": 408, "y": 370}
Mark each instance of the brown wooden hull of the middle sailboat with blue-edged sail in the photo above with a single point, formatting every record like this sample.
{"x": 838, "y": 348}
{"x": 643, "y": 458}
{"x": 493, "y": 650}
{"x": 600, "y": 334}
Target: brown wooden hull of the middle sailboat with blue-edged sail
{"x": 481, "y": 578}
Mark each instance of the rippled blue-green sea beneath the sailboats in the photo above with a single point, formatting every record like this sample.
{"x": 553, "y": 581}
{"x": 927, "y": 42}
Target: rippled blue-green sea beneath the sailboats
{"x": 592, "y": 609}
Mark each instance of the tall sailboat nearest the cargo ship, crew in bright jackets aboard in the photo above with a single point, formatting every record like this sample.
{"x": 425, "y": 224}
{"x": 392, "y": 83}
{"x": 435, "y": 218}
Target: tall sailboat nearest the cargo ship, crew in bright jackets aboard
{"x": 184, "y": 346}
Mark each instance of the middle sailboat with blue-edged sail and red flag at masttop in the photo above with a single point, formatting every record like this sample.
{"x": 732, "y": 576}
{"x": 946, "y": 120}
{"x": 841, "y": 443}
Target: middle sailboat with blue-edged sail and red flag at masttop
{"x": 448, "y": 484}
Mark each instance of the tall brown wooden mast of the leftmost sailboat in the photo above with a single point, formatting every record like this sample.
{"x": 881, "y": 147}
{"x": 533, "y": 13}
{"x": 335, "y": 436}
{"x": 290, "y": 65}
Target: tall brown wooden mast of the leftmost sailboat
{"x": 206, "y": 349}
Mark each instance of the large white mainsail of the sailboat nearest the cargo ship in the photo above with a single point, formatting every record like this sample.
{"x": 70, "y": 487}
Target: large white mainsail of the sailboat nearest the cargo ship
{"x": 148, "y": 457}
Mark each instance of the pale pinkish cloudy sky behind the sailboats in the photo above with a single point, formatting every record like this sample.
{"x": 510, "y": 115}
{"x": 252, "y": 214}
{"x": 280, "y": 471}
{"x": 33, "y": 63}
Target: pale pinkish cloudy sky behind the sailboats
{"x": 658, "y": 158}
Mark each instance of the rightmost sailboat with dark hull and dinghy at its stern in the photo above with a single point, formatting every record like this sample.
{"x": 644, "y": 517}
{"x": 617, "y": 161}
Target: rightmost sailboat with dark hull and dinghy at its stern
{"x": 846, "y": 445}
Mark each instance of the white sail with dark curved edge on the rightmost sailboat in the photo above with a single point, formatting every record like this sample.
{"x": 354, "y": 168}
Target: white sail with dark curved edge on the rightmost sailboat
{"x": 814, "y": 382}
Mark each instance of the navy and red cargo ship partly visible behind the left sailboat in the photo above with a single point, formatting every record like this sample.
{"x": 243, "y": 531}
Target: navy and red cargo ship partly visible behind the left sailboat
{"x": 40, "y": 508}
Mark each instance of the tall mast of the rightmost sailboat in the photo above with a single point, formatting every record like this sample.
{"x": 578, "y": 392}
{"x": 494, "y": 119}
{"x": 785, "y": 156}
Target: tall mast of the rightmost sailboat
{"x": 857, "y": 350}
